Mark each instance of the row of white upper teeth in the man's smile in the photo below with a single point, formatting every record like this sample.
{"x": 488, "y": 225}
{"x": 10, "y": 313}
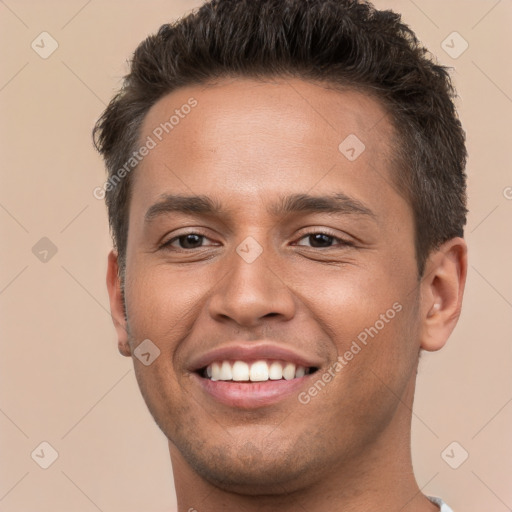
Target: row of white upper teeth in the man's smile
{"x": 259, "y": 371}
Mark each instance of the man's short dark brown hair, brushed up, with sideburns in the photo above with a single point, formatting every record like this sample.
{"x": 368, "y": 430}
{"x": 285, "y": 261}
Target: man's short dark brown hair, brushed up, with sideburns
{"x": 344, "y": 43}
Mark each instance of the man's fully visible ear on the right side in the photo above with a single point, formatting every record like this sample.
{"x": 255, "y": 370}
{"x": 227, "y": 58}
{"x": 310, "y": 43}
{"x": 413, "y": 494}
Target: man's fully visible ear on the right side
{"x": 442, "y": 290}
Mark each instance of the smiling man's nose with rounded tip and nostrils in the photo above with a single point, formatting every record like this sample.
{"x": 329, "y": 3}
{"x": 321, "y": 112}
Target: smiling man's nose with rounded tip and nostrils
{"x": 251, "y": 293}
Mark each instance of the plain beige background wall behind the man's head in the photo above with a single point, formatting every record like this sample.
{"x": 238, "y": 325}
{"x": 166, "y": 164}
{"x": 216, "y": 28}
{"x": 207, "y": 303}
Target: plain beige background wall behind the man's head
{"x": 62, "y": 379}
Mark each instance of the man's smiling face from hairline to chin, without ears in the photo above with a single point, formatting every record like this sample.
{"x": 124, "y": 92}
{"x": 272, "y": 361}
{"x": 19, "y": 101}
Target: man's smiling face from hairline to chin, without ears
{"x": 281, "y": 247}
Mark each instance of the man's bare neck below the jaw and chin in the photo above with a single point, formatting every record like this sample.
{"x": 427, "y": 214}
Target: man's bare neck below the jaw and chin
{"x": 381, "y": 478}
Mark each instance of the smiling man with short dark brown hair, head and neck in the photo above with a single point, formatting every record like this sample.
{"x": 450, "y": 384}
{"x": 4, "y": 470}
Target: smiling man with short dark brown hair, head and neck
{"x": 286, "y": 194}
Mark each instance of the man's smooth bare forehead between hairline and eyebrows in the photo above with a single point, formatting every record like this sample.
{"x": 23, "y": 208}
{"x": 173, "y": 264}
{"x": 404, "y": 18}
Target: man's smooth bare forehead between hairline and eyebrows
{"x": 252, "y": 138}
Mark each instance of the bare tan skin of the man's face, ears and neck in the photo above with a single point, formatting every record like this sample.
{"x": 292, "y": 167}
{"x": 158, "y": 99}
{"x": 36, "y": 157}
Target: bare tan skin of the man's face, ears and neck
{"x": 246, "y": 145}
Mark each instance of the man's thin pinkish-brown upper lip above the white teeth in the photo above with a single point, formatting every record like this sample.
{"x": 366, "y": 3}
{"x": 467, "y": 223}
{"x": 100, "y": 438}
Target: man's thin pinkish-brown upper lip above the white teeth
{"x": 253, "y": 351}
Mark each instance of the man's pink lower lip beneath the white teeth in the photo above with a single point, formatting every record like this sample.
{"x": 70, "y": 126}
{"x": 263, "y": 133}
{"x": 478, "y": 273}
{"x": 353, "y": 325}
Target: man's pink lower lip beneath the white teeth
{"x": 251, "y": 395}
